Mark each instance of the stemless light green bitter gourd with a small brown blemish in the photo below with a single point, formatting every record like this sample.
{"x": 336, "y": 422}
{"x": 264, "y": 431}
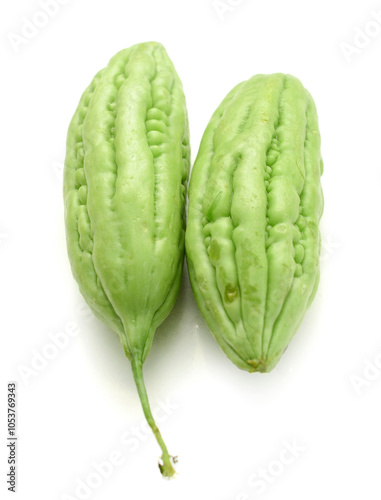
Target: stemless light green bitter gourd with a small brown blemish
{"x": 255, "y": 201}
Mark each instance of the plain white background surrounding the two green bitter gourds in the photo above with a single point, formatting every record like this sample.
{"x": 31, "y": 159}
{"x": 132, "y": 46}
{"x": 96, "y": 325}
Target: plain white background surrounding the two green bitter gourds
{"x": 224, "y": 424}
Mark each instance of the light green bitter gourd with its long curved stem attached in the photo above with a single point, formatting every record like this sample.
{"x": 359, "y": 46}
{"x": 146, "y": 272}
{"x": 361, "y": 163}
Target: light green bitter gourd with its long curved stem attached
{"x": 126, "y": 170}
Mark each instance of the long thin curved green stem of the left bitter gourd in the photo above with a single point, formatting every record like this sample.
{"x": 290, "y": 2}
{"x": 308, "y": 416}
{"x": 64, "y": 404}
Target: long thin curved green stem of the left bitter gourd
{"x": 166, "y": 468}
